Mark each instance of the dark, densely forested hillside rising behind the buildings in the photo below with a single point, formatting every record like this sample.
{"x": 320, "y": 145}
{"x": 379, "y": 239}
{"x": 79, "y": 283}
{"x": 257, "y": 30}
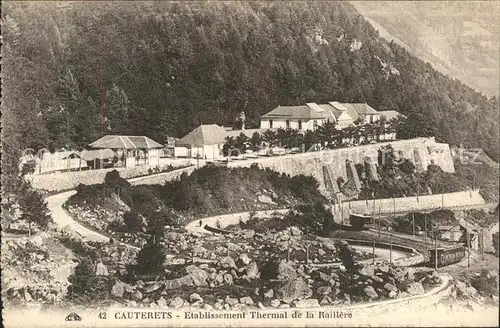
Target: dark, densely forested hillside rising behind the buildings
{"x": 161, "y": 68}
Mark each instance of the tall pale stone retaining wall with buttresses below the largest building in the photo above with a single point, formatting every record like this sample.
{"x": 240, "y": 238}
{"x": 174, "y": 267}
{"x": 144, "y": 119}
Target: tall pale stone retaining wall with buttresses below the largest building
{"x": 420, "y": 151}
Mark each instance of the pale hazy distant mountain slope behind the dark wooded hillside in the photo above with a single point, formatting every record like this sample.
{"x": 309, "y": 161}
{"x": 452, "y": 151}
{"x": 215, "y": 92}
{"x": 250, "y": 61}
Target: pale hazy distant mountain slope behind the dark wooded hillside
{"x": 459, "y": 38}
